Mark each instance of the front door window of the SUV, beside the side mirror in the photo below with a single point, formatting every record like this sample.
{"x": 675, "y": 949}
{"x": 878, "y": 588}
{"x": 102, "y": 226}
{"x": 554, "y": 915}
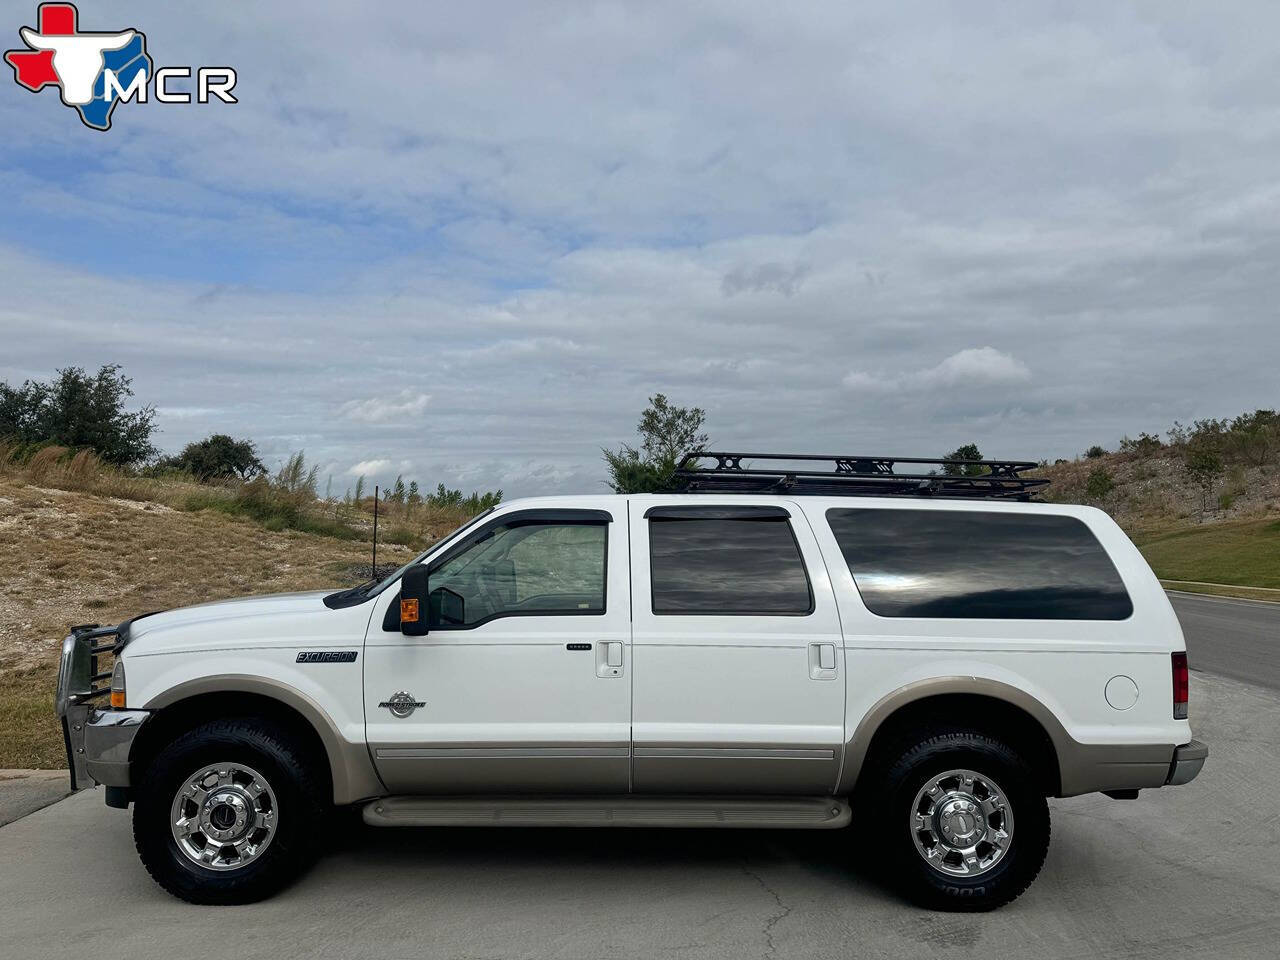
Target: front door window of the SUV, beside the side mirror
{"x": 545, "y": 569}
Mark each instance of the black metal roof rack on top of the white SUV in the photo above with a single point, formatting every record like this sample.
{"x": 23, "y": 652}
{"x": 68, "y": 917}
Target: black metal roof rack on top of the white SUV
{"x": 854, "y": 476}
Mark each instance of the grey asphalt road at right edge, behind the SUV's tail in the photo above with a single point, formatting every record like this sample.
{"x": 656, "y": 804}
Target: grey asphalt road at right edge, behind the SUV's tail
{"x": 1232, "y": 638}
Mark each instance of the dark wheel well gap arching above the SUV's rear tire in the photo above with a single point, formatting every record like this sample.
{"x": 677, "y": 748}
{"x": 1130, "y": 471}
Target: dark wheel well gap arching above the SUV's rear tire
{"x": 989, "y": 715}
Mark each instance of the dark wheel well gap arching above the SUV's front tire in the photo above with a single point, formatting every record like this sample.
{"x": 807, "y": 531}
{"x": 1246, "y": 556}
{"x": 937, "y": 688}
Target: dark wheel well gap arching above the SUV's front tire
{"x": 175, "y": 720}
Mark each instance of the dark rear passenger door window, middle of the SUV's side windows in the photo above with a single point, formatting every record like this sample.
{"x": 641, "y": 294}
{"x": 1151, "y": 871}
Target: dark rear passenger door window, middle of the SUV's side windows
{"x": 733, "y": 566}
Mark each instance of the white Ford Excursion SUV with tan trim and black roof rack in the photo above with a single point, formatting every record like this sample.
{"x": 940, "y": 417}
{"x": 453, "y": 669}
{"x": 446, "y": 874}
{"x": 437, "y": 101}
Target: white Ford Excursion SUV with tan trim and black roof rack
{"x": 925, "y": 657}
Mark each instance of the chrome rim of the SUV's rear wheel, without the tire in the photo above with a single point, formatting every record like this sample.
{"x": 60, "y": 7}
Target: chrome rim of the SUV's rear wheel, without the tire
{"x": 962, "y": 824}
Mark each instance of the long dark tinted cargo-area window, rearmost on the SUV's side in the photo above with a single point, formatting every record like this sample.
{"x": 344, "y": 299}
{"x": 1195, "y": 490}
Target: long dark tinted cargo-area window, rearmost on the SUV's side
{"x": 979, "y": 565}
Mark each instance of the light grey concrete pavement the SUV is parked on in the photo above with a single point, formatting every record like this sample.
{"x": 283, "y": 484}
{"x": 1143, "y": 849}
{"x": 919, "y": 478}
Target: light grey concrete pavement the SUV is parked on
{"x": 1192, "y": 872}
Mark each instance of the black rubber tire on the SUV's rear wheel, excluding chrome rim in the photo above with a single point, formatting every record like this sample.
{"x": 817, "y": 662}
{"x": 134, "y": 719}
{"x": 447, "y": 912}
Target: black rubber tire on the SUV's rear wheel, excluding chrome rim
{"x": 907, "y": 769}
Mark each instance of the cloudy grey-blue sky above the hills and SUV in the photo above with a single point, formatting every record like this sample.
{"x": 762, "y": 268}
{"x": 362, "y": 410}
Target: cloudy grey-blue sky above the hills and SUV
{"x": 467, "y": 241}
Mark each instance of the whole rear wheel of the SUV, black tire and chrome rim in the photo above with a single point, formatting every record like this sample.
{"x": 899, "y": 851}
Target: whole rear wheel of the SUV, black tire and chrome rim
{"x": 966, "y": 822}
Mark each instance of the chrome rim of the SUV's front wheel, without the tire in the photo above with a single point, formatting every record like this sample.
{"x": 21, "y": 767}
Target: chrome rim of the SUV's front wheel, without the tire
{"x": 225, "y": 816}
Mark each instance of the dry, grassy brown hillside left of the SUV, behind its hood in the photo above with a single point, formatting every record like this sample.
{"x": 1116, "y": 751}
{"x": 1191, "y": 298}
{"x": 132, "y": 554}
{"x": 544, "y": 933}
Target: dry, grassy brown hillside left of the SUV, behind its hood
{"x": 75, "y": 557}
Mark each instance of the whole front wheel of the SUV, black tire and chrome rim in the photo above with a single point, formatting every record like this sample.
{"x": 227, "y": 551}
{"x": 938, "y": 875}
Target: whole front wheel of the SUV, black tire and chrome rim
{"x": 228, "y": 813}
